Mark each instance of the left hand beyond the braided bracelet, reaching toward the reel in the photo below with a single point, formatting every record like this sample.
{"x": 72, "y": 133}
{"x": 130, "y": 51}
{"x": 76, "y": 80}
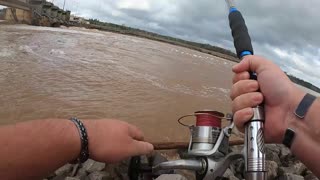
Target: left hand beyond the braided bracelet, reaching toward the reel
{"x": 111, "y": 141}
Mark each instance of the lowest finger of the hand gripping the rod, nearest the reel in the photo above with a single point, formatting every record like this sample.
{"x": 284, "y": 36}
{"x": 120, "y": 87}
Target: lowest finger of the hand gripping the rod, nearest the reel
{"x": 242, "y": 117}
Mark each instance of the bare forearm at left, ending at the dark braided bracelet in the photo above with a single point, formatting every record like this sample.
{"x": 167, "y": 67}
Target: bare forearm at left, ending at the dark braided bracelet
{"x": 32, "y": 150}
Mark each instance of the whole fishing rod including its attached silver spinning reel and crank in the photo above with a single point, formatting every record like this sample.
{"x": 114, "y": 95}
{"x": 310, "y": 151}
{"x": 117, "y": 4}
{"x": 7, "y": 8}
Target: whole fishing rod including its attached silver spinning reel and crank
{"x": 208, "y": 149}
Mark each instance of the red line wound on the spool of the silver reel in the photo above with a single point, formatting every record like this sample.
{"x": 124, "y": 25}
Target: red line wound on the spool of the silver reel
{"x": 209, "y": 118}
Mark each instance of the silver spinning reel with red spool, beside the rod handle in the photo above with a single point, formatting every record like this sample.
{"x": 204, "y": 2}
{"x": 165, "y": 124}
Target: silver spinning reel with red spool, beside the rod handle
{"x": 208, "y": 147}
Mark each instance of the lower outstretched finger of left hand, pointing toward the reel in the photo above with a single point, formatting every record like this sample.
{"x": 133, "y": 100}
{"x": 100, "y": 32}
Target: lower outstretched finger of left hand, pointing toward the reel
{"x": 140, "y": 148}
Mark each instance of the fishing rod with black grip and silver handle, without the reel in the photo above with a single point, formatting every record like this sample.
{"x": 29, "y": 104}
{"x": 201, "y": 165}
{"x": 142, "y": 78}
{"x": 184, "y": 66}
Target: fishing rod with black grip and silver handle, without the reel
{"x": 254, "y": 150}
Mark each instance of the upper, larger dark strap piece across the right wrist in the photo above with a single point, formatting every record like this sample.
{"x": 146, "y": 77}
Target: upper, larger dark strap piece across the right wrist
{"x": 304, "y": 105}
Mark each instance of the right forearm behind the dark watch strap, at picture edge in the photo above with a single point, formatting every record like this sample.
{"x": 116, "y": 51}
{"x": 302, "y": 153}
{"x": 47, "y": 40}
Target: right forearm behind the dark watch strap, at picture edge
{"x": 306, "y": 145}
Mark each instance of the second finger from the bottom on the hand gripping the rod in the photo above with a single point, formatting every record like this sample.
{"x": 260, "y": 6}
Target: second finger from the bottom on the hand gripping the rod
{"x": 246, "y": 100}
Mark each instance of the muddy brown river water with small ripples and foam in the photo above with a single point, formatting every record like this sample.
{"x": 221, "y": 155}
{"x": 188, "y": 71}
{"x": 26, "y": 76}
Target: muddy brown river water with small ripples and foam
{"x": 59, "y": 73}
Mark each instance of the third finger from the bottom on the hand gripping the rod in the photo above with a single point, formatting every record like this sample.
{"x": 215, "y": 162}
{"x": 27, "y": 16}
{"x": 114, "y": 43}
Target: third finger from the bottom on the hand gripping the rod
{"x": 243, "y": 87}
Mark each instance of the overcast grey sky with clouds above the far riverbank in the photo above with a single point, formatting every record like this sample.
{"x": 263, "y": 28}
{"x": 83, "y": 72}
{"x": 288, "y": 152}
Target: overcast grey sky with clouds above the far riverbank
{"x": 285, "y": 31}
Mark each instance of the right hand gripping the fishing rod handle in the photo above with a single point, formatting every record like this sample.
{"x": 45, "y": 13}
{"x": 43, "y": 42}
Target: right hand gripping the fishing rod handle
{"x": 279, "y": 94}
